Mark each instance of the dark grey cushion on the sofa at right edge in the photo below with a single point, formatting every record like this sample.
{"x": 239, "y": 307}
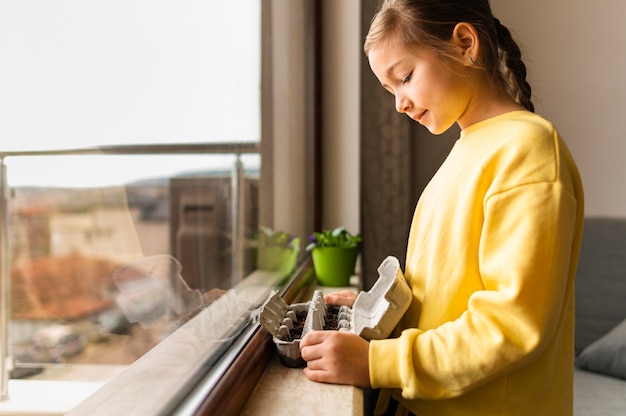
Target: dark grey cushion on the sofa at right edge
{"x": 607, "y": 355}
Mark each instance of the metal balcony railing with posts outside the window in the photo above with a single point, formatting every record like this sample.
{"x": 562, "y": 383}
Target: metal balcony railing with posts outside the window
{"x": 233, "y": 148}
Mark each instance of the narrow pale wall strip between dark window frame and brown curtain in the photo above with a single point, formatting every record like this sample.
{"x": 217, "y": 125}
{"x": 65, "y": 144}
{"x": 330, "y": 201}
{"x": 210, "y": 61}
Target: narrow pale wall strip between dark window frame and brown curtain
{"x": 341, "y": 108}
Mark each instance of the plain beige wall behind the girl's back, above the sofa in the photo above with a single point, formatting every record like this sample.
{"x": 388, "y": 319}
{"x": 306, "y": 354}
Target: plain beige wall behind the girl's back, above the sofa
{"x": 575, "y": 53}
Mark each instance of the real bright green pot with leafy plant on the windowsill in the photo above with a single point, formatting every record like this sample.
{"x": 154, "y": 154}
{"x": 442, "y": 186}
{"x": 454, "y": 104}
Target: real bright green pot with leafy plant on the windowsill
{"x": 334, "y": 254}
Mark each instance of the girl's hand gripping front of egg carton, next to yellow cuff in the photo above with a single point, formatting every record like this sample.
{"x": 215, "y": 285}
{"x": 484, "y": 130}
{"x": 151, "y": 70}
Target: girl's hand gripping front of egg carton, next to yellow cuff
{"x": 336, "y": 357}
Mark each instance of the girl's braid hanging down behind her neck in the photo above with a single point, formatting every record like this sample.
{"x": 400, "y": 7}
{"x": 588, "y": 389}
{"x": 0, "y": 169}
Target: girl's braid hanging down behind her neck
{"x": 512, "y": 68}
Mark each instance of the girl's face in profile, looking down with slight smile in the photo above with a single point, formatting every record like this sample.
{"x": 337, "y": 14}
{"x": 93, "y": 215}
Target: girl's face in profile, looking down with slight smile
{"x": 430, "y": 91}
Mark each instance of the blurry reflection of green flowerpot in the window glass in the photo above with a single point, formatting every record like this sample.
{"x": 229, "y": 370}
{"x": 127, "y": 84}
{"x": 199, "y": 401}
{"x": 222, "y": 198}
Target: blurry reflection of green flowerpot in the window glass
{"x": 277, "y": 251}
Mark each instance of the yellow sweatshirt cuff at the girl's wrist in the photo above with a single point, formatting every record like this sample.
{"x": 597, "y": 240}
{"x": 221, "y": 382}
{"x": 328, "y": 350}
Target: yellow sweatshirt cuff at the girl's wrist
{"x": 383, "y": 363}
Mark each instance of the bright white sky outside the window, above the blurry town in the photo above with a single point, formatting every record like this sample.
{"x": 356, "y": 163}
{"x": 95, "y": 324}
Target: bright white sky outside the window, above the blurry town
{"x": 76, "y": 73}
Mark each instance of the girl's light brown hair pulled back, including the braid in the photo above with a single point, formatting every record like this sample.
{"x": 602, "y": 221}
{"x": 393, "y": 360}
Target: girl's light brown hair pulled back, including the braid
{"x": 432, "y": 22}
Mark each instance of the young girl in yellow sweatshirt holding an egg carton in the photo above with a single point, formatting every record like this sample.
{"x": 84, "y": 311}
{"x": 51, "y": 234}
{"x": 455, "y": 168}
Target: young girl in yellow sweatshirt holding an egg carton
{"x": 494, "y": 242}
